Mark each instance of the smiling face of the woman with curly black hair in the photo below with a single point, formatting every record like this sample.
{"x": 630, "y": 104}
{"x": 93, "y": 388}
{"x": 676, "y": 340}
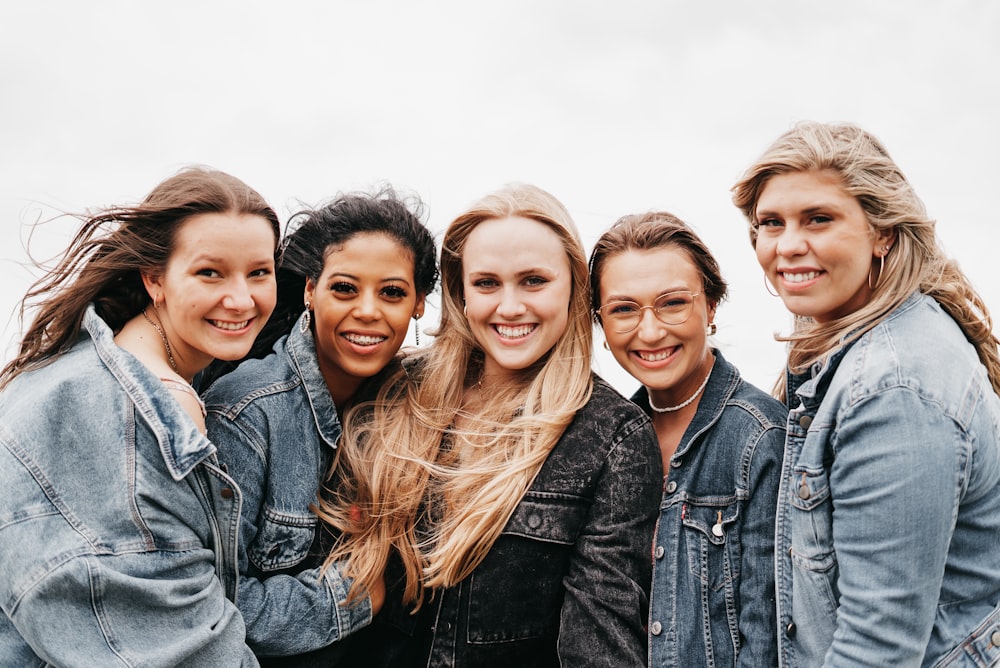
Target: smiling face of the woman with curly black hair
{"x": 362, "y": 305}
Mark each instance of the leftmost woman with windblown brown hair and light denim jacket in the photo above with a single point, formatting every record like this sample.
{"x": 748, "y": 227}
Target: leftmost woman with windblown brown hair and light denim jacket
{"x": 117, "y": 522}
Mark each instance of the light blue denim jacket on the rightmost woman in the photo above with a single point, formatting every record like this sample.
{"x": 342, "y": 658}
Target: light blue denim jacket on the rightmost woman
{"x": 889, "y": 507}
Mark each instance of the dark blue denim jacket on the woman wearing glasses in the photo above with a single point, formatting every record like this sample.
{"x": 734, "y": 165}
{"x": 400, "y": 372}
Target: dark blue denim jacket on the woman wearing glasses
{"x": 713, "y": 599}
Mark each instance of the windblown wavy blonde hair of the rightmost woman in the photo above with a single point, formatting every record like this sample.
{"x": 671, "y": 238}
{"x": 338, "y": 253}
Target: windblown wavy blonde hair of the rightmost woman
{"x": 916, "y": 262}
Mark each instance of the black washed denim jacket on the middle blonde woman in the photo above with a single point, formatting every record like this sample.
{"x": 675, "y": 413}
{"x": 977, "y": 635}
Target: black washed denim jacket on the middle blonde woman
{"x": 567, "y": 582}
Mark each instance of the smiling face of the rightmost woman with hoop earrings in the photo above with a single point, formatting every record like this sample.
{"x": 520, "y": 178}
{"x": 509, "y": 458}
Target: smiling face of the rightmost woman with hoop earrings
{"x": 815, "y": 244}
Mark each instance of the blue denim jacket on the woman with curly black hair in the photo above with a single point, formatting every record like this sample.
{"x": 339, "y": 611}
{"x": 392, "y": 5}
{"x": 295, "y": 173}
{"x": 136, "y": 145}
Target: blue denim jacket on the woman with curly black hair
{"x": 276, "y": 428}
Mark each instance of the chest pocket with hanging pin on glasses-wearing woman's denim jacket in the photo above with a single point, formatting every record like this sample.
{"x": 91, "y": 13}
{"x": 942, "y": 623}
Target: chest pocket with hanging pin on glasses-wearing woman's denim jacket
{"x": 711, "y": 551}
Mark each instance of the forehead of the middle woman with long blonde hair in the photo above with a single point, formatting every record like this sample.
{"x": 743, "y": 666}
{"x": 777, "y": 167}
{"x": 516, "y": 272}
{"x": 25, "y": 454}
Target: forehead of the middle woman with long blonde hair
{"x": 507, "y": 244}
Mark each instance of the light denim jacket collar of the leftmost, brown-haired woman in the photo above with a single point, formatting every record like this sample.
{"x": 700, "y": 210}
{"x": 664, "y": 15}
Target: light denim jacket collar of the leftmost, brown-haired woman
{"x": 180, "y": 442}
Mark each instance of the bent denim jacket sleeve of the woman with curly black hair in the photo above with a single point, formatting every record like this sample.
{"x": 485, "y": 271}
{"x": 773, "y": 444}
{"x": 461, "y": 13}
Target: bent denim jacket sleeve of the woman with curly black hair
{"x": 284, "y": 613}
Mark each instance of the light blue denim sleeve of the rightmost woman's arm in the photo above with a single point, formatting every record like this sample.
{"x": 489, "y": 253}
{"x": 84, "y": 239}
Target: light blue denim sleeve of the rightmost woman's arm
{"x": 894, "y": 485}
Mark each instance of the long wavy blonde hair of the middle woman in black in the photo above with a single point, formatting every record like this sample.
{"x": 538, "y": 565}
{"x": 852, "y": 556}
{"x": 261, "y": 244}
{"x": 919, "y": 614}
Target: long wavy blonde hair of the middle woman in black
{"x": 407, "y": 479}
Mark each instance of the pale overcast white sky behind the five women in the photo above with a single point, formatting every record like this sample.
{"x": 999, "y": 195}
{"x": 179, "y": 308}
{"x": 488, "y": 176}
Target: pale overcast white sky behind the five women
{"x": 614, "y": 107}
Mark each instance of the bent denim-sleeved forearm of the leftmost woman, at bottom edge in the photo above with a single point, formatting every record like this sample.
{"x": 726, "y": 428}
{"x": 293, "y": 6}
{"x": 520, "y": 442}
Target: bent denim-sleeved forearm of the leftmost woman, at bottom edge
{"x": 133, "y": 609}
